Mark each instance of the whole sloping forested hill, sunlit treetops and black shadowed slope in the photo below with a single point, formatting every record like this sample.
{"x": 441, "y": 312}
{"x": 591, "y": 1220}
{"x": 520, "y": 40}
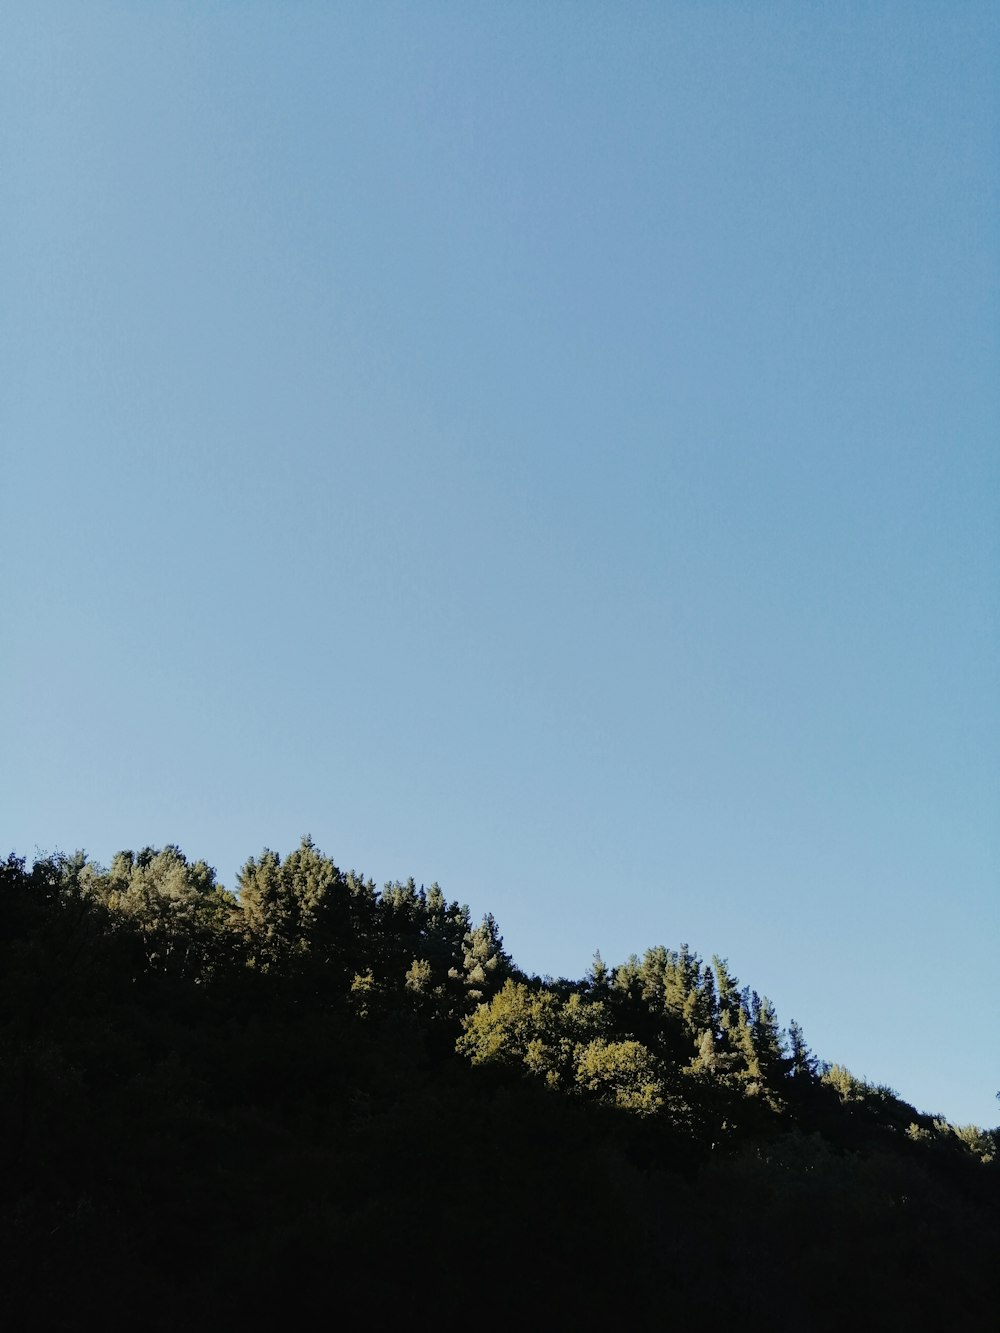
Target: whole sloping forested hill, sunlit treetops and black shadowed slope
{"x": 314, "y": 1100}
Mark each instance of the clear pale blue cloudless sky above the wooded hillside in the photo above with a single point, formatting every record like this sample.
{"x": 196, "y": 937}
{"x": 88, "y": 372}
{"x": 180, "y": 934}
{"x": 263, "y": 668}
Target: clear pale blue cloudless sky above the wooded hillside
{"x": 553, "y": 450}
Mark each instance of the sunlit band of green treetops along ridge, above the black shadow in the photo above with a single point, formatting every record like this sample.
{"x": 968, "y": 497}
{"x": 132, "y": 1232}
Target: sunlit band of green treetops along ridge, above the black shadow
{"x": 662, "y": 1035}
